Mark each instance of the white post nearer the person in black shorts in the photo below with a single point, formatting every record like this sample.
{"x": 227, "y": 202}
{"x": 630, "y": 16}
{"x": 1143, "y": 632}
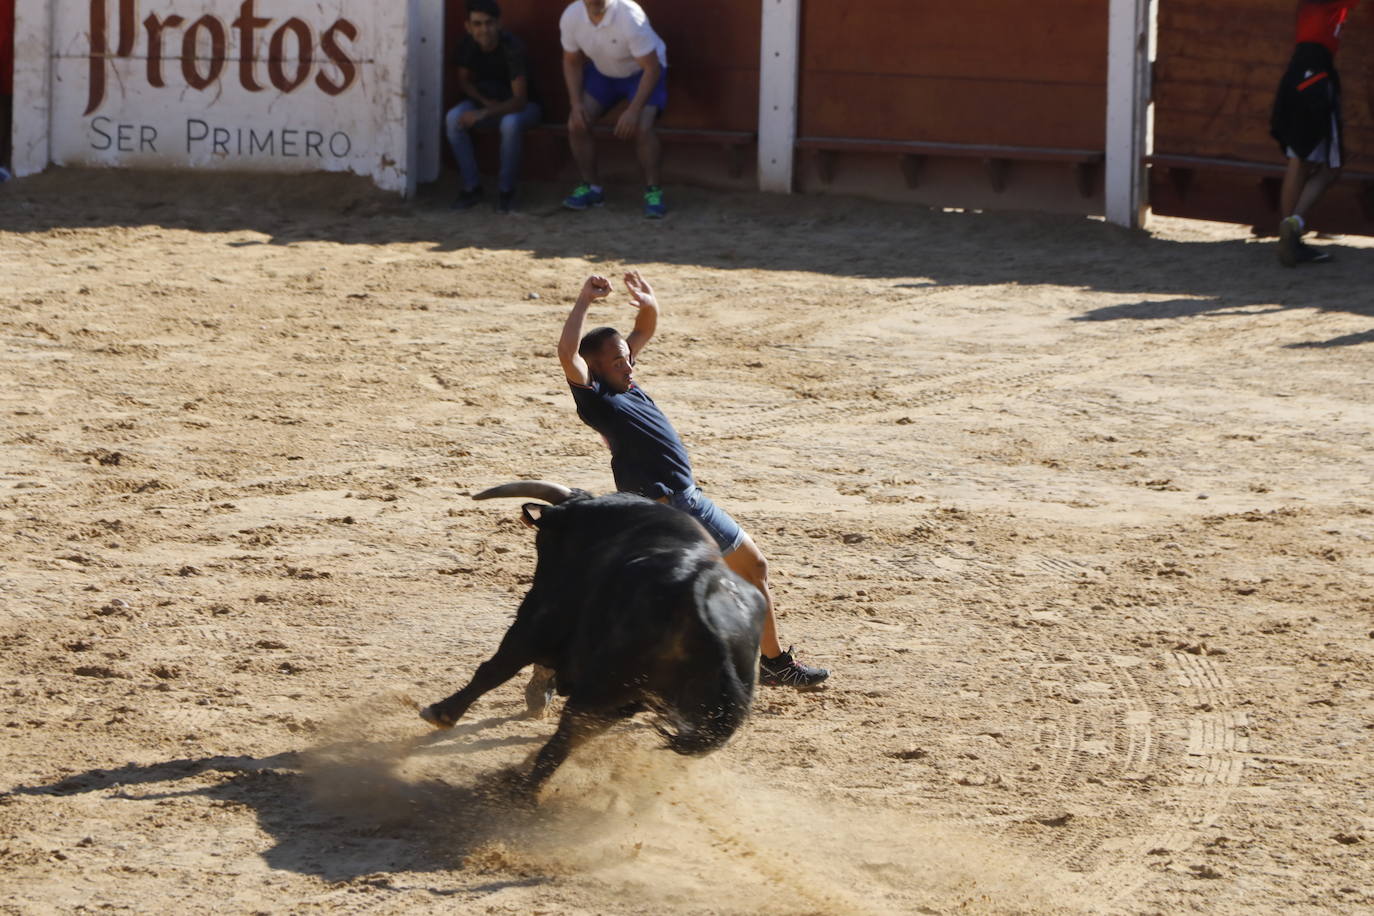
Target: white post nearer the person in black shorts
{"x": 1130, "y": 27}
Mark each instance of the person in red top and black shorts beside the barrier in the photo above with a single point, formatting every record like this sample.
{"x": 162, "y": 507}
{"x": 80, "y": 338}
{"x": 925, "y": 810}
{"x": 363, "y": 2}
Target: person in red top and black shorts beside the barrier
{"x": 1307, "y": 123}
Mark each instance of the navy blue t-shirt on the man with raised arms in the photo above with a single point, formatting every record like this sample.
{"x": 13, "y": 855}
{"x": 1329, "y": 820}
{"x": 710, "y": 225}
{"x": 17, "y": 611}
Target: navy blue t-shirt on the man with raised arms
{"x": 646, "y": 457}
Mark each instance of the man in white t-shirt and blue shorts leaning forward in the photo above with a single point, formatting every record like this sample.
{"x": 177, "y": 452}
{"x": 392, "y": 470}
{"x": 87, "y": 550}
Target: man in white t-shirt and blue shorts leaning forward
{"x": 611, "y": 53}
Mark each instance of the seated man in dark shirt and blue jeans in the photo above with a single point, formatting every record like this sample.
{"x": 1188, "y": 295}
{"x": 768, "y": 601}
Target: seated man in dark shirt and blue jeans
{"x": 494, "y": 75}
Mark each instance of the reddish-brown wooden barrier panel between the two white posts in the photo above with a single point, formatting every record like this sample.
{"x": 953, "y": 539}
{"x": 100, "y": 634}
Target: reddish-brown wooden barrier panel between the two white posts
{"x": 1028, "y": 79}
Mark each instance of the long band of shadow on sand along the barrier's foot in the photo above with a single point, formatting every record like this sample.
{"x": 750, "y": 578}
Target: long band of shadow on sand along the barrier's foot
{"x": 725, "y": 231}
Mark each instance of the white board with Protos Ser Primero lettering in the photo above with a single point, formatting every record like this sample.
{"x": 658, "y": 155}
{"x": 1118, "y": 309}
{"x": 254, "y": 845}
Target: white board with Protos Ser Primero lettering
{"x": 243, "y": 86}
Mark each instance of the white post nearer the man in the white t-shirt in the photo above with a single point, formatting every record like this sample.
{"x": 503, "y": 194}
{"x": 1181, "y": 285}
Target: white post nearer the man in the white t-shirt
{"x": 778, "y": 68}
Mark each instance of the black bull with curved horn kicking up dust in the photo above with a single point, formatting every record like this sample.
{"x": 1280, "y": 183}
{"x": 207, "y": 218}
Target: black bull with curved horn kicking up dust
{"x": 633, "y": 609}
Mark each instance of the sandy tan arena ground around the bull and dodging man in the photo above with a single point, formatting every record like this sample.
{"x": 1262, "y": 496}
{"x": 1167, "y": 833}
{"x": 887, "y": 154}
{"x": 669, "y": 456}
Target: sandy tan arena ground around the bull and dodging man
{"x": 1079, "y": 518}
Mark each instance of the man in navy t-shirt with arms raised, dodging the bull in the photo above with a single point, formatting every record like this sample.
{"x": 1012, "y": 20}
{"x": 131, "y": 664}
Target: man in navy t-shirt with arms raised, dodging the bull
{"x": 648, "y": 457}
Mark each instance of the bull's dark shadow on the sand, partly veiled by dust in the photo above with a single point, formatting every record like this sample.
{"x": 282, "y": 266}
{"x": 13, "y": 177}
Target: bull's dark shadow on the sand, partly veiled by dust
{"x": 343, "y": 811}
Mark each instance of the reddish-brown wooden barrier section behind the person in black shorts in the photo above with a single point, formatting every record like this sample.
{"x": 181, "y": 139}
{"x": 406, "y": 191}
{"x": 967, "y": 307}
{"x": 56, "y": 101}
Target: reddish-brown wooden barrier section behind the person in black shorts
{"x": 1218, "y": 65}
